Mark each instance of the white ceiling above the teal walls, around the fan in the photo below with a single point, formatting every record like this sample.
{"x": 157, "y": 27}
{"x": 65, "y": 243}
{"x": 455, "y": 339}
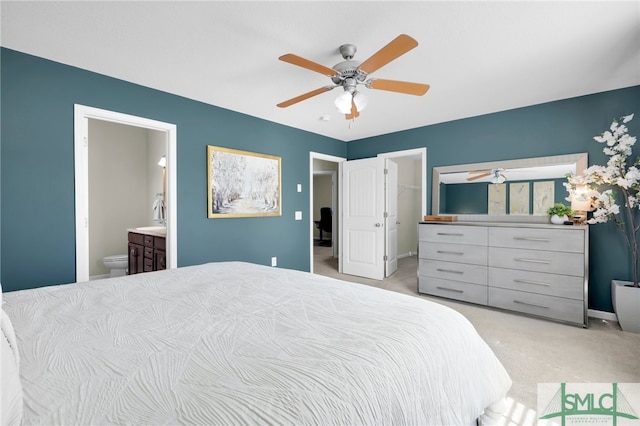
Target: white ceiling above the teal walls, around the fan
{"x": 478, "y": 57}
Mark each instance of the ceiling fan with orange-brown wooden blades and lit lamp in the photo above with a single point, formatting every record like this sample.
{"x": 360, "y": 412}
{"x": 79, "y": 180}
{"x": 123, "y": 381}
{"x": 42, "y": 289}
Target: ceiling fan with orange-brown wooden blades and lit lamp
{"x": 350, "y": 73}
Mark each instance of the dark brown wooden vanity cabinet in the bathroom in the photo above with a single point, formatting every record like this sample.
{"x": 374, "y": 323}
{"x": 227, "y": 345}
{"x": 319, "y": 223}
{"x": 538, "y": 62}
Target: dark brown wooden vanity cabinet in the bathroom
{"x": 147, "y": 252}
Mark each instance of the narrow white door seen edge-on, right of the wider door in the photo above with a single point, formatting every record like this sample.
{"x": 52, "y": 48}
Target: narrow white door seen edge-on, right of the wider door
{"x": 391, "y": 218}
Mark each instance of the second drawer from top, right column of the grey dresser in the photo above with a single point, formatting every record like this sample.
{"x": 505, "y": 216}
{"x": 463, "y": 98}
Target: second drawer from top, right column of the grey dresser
{"x": 537, "y": 260}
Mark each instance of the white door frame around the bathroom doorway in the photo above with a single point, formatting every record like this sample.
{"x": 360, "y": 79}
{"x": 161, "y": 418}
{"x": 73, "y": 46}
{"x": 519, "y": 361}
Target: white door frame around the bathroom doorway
{"x": 81, "y": 116}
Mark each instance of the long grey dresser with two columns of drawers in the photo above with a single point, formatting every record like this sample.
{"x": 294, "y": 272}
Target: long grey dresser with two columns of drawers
{"x": 537, "y": 269}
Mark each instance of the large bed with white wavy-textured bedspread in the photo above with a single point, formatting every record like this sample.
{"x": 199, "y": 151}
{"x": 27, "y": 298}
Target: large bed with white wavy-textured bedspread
{"x": 235, "y": 343}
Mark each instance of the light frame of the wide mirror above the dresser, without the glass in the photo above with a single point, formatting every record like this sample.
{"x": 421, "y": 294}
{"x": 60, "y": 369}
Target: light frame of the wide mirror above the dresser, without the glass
{"x": 580, "y": 160}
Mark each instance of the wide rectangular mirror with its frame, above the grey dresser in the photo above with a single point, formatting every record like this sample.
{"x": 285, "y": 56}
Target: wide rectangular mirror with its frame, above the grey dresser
{"x": 510, "y": 190}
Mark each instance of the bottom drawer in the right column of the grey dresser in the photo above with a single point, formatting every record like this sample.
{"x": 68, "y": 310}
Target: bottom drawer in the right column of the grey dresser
{"x": 536, "y": 304}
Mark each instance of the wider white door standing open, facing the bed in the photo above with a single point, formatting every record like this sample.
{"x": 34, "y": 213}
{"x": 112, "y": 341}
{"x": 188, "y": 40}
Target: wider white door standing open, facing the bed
{"x": 363, "y": 231}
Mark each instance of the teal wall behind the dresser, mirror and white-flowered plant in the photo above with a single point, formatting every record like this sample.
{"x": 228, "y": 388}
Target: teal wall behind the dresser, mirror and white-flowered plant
{"x": 555, "y": 128}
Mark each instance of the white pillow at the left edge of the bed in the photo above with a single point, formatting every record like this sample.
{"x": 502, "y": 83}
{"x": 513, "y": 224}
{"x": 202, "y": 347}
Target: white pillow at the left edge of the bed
{"x": 11, "y": 387}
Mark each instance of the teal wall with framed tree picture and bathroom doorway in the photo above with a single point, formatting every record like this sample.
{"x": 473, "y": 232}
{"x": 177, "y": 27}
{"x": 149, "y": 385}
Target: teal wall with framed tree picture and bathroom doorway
{"x": 37, "y": 170}
